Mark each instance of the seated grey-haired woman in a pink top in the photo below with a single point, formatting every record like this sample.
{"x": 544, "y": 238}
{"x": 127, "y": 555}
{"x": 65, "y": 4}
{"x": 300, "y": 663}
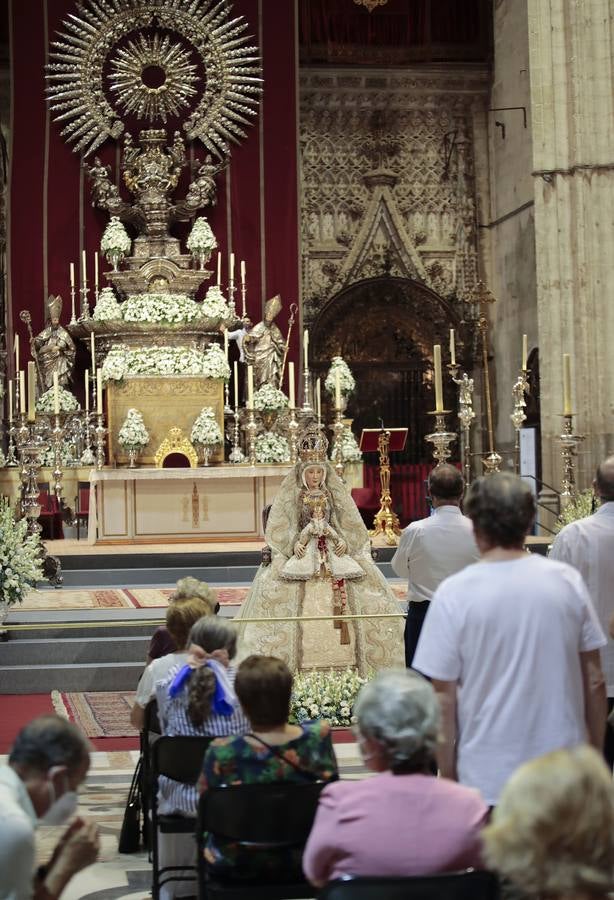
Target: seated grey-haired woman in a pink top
{"x": 403, "y": 821}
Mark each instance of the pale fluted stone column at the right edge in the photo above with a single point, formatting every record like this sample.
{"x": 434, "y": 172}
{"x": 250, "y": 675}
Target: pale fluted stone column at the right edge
{"x": 572, "y": 106}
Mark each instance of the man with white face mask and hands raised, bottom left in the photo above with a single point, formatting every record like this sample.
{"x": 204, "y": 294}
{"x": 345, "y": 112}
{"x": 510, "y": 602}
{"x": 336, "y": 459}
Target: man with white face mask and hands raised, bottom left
{"x": 48, "y": 762}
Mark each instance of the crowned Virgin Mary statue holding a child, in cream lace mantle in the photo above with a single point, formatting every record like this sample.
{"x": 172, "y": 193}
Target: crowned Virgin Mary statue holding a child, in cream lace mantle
{"x": 321, "y": 565}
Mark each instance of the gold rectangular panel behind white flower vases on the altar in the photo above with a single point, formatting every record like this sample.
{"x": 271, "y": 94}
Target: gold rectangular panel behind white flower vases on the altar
{"x": 164, "y": 402}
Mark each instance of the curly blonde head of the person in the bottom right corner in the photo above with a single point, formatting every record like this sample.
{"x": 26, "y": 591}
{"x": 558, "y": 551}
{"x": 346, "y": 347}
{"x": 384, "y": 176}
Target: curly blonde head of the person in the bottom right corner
{"x": 552, "y": 833}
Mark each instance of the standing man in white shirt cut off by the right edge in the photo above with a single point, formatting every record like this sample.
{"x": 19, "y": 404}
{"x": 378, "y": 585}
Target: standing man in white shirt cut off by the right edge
{"x": 588, "y": 545}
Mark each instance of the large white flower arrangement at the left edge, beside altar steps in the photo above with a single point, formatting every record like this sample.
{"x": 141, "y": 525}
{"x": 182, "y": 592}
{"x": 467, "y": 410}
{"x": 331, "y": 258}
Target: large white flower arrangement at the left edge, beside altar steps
{"x": 20, "y": 556}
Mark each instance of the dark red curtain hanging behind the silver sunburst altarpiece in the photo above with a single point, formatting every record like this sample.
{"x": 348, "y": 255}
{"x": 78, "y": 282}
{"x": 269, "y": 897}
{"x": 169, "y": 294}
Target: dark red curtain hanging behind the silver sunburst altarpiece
{"x": 51, "y": 217}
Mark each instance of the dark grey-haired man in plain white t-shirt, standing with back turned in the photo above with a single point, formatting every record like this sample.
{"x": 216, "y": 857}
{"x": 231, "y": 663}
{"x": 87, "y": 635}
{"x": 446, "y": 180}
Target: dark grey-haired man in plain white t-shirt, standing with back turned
{"x": 512, "y": 645}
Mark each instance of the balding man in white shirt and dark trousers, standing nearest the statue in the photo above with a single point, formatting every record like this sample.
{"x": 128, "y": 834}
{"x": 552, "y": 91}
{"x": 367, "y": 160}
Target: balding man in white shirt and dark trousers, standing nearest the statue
{"x": 433, "y": 549}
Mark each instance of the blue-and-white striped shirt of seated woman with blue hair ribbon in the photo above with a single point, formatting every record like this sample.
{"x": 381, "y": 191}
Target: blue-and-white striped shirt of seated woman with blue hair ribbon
{"x": 174, "y": 797}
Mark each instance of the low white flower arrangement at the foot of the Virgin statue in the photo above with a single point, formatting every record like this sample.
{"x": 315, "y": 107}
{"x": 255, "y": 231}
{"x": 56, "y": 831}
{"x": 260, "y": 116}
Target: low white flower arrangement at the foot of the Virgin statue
{"x": 325, "y": 695}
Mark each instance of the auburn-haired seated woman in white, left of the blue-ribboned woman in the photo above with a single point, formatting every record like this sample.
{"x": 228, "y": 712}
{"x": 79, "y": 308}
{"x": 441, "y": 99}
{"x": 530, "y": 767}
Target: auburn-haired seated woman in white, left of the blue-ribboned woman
{"x": 180, "y": 616}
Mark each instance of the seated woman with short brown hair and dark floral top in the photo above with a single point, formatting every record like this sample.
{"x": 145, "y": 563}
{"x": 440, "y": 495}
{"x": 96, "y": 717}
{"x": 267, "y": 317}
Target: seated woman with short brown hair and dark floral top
{"x": 274, "y": 750}
